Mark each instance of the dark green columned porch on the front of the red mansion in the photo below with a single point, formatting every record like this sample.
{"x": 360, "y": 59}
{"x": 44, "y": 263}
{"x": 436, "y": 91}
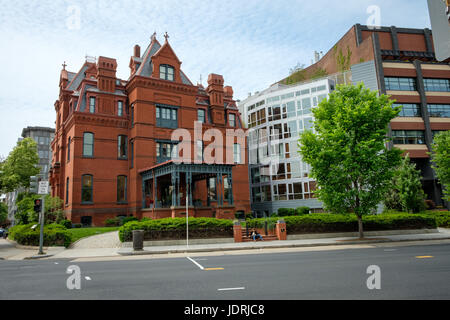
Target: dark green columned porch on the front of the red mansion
{"x": 208, "y": 190}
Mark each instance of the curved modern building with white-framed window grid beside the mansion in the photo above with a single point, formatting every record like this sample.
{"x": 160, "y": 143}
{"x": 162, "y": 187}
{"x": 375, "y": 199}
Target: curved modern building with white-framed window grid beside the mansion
{"x": 276, "y": 117}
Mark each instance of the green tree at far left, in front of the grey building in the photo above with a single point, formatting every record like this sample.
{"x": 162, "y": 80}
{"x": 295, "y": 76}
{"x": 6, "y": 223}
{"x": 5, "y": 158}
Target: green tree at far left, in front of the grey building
{"x": 20, "y": 165}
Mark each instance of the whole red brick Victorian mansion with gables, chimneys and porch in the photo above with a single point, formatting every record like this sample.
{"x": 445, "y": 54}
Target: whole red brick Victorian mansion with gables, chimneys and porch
{"x": 114, "y": 153}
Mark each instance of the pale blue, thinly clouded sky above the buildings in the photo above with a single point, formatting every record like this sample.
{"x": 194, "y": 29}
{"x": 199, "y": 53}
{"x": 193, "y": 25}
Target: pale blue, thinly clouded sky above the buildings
{"x": 251, "y": 43}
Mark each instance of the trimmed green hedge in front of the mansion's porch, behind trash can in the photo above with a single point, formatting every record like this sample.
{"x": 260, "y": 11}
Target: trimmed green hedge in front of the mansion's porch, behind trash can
{"x": 175, "y": 229}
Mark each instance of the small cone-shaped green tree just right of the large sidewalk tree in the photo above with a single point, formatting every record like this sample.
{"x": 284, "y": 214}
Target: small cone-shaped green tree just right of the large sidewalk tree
{"x": 407, "y": 188}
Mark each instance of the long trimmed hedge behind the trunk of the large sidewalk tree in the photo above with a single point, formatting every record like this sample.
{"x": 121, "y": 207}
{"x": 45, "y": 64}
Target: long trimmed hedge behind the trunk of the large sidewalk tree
{"x": 323, "y": 223}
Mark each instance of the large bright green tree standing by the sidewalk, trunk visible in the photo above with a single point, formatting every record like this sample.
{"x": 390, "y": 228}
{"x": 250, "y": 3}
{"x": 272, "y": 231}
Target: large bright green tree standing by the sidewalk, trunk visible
{"x": 348, "y": 154}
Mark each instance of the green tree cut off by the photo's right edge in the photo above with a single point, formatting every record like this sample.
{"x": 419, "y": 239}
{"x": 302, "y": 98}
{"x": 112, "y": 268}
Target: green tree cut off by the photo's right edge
{"x": 441, "y": 160}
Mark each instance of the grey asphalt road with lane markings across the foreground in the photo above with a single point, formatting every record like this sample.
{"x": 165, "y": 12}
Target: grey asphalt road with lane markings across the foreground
{"x": 406, "y": 272}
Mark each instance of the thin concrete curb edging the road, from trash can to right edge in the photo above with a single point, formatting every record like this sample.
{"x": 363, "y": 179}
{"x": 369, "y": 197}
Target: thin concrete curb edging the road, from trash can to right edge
{"x": 139, "y": 253}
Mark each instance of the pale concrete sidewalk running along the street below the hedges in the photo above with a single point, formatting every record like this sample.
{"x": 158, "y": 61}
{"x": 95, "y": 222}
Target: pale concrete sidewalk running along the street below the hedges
{"x": 14, "y": 253}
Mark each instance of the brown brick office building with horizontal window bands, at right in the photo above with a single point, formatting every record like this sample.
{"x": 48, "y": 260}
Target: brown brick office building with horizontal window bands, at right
{"x": 401, "y": 63}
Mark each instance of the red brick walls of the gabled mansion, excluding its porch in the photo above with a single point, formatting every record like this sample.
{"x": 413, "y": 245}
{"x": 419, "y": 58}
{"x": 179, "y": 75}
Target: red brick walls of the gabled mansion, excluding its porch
{"x": 94, "y": 101}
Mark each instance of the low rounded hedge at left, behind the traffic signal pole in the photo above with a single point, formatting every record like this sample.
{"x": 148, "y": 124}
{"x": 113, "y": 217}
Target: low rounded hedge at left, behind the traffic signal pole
{"x": 54, "y": 235}
